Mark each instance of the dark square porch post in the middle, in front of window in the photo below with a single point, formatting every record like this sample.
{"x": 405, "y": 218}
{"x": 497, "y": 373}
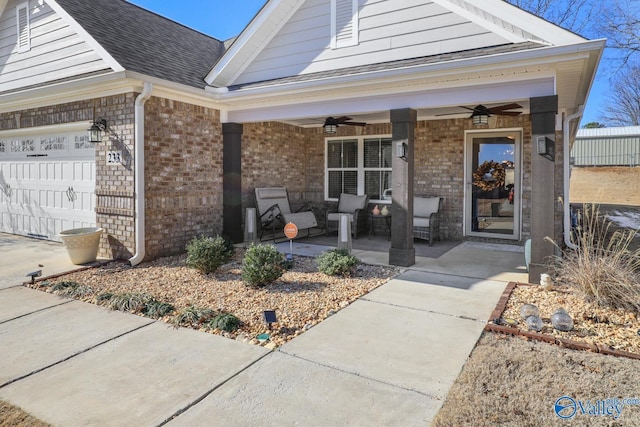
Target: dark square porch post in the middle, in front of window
{"x": 403, "y": 124}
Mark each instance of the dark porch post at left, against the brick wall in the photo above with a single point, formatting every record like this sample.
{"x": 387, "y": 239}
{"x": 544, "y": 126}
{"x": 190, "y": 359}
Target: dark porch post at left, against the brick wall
{"x": 232, "y": 181}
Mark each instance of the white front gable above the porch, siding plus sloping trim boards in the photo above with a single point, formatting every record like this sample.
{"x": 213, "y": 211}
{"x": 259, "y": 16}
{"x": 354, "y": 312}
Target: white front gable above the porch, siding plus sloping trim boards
{"x": 476, "y": 24}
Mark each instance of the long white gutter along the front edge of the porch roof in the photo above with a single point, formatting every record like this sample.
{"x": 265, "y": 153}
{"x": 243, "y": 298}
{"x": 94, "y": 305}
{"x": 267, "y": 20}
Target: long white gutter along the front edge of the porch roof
{"x": 544, "y": 55}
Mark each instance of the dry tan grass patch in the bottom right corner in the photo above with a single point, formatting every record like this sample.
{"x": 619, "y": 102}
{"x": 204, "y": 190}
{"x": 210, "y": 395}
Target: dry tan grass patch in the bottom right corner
{"x": 509, "y": 381}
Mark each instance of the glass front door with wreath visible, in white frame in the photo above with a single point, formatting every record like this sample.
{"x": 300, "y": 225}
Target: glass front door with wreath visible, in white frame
{"x": 493, "y": 190}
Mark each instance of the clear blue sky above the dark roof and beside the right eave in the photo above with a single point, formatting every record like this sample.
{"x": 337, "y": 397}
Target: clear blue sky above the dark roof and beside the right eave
{"x": 224, "y": 19}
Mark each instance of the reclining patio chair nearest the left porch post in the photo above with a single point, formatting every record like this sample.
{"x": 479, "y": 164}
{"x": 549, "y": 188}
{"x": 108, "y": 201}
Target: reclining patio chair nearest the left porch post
{"x": 274, "y": 211}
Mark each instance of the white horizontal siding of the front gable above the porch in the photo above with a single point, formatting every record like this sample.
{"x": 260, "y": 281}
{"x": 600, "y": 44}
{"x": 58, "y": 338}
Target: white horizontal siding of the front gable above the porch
{"x": 388, "y": 30}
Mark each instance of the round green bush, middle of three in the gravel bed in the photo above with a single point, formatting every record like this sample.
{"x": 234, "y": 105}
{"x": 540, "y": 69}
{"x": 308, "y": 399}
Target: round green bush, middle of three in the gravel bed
{"x": 262, "y": 265}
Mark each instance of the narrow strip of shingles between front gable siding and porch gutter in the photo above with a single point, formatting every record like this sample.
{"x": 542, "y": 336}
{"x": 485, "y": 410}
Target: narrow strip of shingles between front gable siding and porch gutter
{"x": 403, "y": 63}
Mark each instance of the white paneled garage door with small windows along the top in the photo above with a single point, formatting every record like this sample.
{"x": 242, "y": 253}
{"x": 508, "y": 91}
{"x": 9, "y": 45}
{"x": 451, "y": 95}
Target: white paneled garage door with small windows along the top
{"x": 47, "y": 181}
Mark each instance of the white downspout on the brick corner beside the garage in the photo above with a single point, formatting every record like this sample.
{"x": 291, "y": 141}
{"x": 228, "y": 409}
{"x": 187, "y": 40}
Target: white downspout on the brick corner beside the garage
{"x": 139, "y": 173}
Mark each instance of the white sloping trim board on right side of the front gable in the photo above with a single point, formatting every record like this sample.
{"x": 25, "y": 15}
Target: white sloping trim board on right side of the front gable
{"x": 526, "y": 21}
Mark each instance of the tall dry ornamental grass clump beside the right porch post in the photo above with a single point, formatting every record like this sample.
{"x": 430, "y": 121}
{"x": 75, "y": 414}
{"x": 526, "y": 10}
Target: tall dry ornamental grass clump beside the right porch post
{"x": 602, "y": 268}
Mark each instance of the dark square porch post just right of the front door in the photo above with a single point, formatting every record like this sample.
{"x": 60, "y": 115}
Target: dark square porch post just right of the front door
{"x": 543, "y": 184}
